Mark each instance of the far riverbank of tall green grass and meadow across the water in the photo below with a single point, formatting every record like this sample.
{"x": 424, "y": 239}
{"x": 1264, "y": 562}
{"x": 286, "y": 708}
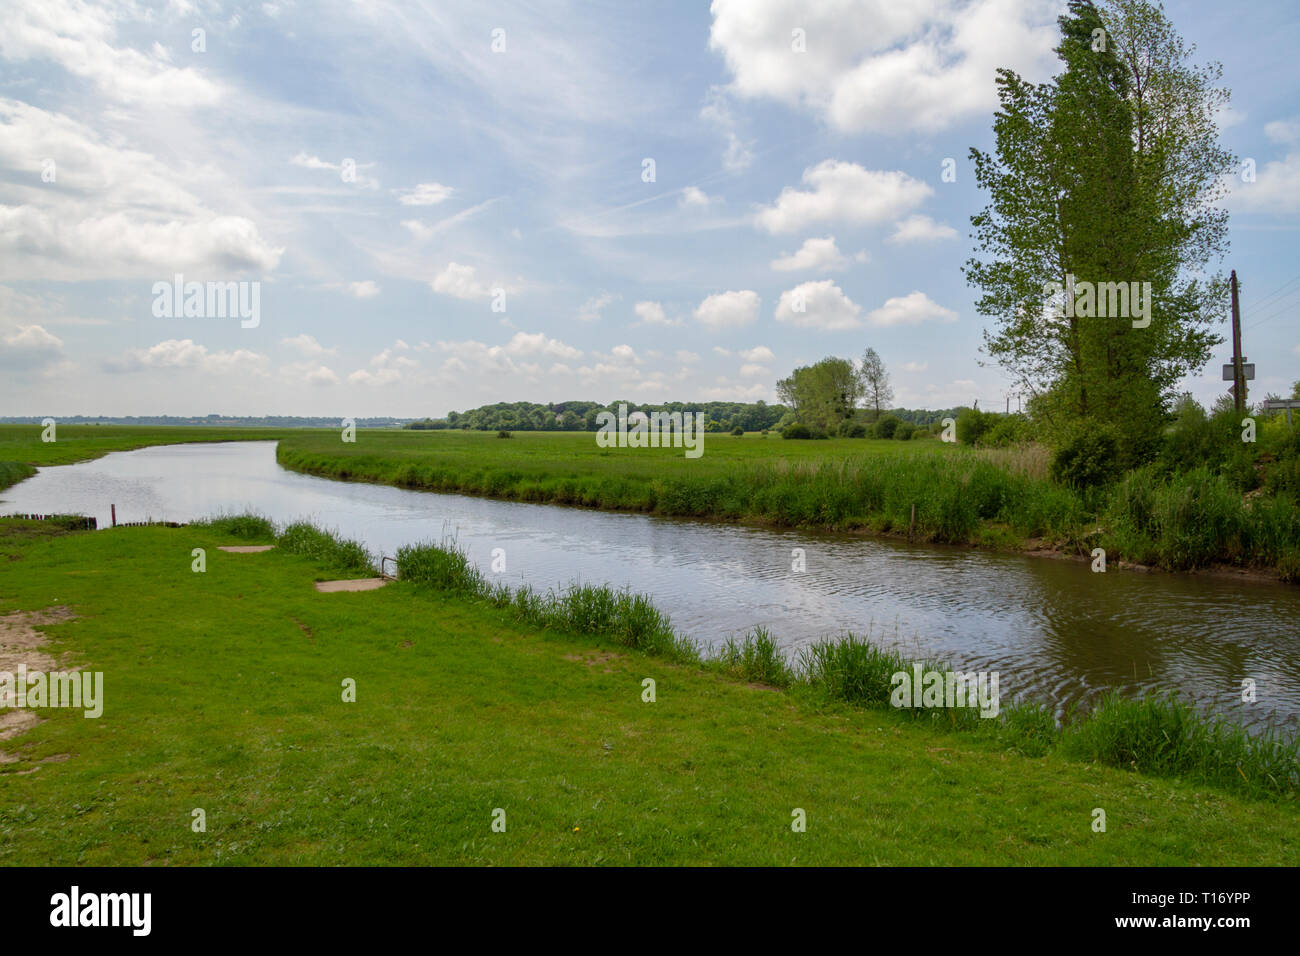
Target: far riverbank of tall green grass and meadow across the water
{"x": 929, "y": 490}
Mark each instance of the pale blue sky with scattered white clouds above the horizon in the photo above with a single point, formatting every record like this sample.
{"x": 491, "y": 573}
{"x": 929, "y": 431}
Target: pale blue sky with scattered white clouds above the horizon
{"x": 447, "y": 205}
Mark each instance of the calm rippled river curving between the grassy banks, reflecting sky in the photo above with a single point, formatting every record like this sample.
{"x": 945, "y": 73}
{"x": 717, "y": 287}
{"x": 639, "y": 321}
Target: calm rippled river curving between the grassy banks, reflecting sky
{"x": 1054, "y": 630}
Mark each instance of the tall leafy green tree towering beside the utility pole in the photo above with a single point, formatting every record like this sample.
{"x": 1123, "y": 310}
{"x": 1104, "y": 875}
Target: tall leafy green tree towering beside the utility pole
{"x": 1110, "y": 174}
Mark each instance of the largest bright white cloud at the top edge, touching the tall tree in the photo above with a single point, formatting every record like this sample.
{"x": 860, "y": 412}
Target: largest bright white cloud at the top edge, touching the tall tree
{"x": 879, "y": 64}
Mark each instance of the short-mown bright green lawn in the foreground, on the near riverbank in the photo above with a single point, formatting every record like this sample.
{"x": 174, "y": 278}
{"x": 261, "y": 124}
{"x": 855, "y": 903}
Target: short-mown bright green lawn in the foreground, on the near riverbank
{"x": 224, "y": 693}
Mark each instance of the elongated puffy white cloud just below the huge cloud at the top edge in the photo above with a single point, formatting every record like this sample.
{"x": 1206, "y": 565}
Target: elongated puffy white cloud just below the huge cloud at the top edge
{"x": 843, "y": 192}
